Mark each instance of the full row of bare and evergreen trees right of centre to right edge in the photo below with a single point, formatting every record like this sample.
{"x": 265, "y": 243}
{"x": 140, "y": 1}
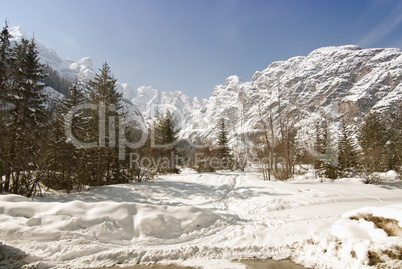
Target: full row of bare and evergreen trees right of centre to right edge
{"x": 337, "y": 151}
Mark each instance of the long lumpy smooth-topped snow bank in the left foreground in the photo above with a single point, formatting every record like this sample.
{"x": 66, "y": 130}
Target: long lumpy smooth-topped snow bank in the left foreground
{"x": 102, "y": 221}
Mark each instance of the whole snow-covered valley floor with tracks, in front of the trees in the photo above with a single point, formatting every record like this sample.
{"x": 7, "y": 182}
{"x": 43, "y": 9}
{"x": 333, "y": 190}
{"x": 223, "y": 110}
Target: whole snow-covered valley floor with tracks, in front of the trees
{"x": 204, "y": 220}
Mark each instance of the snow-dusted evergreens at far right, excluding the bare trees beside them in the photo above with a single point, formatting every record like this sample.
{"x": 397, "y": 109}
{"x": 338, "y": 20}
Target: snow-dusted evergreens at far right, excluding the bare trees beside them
{"x": 377, "y": 147}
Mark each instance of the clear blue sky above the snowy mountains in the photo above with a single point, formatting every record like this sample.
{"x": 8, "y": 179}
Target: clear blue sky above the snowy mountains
{"x": 193, "y": 45}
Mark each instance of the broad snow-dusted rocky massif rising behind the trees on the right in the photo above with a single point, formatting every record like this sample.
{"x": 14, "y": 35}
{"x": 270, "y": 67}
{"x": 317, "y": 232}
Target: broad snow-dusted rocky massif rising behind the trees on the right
{"x": 358, "y": 79}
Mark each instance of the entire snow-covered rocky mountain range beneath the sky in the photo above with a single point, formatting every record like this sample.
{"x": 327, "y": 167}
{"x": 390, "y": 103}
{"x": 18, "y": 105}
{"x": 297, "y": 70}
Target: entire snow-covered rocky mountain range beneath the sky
{"x": 345, "y": 81}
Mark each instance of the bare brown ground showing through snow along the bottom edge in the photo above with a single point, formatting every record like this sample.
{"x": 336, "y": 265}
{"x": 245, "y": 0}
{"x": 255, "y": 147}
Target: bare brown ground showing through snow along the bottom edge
{"x": 250, "y": 264}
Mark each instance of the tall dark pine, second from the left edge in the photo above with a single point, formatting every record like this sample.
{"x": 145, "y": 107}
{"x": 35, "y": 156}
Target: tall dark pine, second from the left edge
{"x": 28, "y": 116}
